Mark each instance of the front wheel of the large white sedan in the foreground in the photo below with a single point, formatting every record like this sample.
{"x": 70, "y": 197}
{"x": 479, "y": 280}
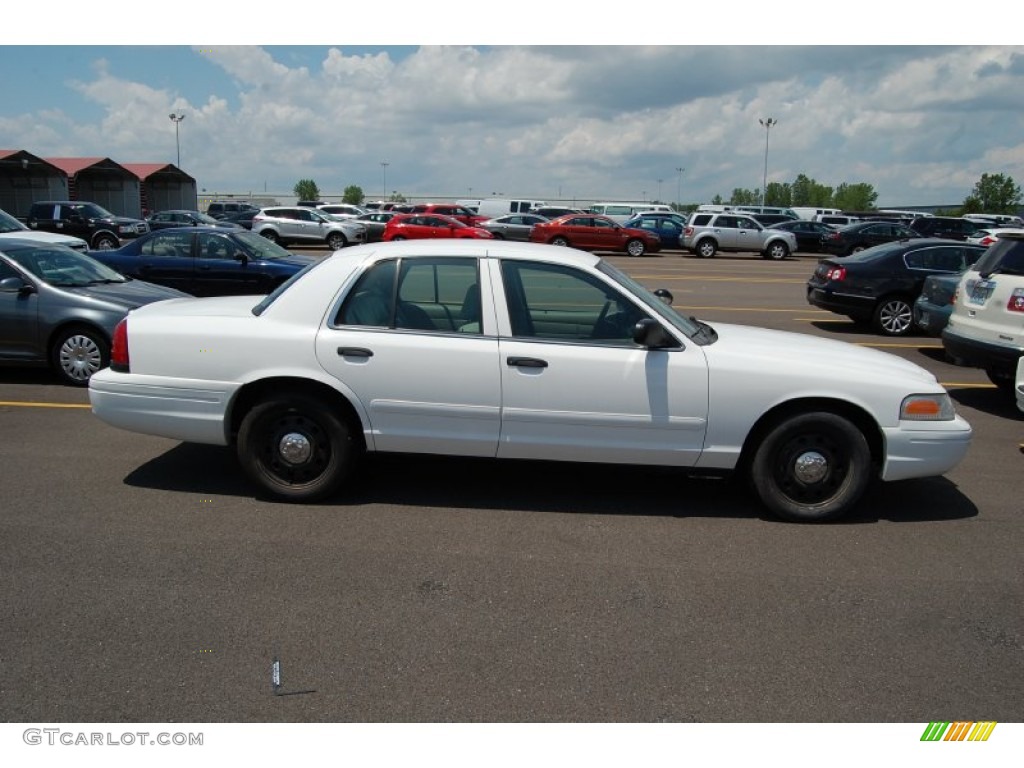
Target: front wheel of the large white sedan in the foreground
{"x": 812, "y": 468}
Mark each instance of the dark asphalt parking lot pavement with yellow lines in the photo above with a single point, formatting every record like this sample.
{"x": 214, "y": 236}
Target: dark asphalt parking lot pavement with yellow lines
{"x": 145, "y": 582}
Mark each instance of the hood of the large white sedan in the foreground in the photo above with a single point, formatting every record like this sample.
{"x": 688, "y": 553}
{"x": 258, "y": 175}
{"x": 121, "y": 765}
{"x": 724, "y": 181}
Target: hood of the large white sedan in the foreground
{"x": 776, "y": 356}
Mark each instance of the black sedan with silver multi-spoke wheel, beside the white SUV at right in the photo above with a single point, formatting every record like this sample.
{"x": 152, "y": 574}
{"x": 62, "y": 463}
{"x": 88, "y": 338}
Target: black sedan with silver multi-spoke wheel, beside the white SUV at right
{"x": 881, "y": 285}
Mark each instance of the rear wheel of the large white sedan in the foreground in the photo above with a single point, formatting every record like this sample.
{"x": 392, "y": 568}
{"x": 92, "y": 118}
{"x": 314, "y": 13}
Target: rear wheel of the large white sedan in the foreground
{"x": 322, "y": 446}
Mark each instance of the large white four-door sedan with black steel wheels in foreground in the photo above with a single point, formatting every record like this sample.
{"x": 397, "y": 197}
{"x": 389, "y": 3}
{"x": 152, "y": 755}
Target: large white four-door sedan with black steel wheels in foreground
{"x": 520, "y": 352}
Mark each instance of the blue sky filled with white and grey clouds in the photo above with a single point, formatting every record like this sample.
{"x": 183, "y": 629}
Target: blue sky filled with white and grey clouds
{"x": 920, "y": 123}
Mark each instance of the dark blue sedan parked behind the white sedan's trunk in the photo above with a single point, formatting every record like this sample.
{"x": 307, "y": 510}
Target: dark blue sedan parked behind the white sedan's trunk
{"x": 206, "y": 262}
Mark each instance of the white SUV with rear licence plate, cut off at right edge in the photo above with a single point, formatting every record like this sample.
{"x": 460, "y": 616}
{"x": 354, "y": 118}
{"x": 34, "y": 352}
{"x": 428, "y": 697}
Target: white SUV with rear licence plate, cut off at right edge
{"x": 987, "y": 327}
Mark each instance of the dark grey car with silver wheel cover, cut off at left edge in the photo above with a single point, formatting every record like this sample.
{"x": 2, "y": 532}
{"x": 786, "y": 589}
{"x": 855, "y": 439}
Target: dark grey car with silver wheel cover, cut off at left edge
{"x": 59, "y": 308}
